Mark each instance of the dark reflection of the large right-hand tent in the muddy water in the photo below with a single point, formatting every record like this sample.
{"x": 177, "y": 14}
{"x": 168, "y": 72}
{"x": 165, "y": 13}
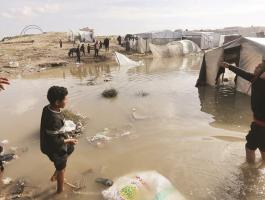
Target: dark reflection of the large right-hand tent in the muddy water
{"x": 230, "y": 109}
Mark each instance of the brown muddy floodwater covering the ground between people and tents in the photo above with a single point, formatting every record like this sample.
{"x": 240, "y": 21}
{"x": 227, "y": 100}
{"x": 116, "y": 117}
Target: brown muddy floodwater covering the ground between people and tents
{"x": 193, "y": 137}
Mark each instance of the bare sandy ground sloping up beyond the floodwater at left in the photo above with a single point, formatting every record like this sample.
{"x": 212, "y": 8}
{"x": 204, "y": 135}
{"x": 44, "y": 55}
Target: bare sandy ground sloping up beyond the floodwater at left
{"x": 34, "y": 53}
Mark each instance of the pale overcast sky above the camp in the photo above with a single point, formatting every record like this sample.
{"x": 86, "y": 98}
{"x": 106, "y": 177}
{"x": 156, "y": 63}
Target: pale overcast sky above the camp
{"x": 128, "y": 16}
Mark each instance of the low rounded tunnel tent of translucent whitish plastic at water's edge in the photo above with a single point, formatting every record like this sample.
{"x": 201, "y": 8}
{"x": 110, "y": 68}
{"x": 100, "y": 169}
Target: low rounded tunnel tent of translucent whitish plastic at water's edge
{"x": 173, "y": 49}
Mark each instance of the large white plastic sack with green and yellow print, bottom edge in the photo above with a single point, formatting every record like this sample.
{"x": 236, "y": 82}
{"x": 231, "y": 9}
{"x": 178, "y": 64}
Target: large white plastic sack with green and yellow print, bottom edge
{"x": 142, "y": 185}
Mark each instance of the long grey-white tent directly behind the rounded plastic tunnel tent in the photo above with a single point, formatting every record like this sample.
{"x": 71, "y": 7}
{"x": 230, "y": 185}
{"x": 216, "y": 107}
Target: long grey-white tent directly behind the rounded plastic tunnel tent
{"x": 158, "y": 38}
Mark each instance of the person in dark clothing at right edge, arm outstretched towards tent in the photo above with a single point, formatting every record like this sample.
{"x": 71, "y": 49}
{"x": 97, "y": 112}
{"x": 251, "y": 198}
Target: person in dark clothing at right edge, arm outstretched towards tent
{"x": 256, "y": 137}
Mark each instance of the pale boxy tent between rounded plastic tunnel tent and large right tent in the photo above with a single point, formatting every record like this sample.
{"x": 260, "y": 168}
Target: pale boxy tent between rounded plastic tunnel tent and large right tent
{"x": 205, "y": 40}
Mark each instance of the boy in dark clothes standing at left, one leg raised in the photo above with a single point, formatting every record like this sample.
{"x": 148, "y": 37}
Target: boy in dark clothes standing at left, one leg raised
{"x": 54, "y": 143}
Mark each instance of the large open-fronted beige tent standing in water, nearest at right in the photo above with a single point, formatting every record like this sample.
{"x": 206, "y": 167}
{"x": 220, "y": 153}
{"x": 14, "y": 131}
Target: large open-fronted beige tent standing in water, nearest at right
{"x": 246, "y": 53}
